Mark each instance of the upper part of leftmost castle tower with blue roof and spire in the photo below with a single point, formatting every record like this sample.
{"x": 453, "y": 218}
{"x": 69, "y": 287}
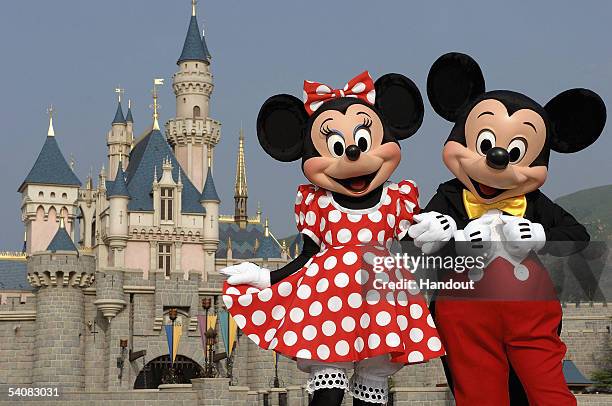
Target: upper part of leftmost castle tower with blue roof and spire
{"x": 49, "y": 192}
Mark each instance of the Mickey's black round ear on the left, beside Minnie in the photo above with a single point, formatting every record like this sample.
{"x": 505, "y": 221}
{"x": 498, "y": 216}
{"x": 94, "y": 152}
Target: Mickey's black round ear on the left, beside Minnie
{"x": 454, "y": 80}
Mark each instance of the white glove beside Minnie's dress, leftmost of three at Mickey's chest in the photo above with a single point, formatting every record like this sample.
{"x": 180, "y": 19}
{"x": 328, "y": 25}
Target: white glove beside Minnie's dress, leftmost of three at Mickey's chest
{"x": 432, "y": 231}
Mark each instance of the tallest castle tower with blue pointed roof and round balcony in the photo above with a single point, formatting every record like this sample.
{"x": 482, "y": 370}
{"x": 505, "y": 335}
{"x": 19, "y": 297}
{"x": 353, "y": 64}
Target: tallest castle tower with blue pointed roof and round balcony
{"x": 192, "y": 133}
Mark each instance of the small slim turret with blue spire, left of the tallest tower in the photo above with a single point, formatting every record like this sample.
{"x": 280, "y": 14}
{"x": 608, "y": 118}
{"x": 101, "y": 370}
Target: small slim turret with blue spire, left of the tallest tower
{"x": 118, "y": 140}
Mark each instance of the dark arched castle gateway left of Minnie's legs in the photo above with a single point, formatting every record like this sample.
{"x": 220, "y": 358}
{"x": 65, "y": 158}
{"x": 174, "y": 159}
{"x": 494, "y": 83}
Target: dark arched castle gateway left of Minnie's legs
{"x": 159, "y": 370}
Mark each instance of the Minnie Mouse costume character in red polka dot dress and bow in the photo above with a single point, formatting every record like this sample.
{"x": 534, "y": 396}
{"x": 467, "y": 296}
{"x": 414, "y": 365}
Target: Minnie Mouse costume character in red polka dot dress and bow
{"x": 321, "y": 308}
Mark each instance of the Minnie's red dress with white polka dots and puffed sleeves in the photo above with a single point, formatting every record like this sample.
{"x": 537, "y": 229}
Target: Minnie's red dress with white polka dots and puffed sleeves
{"x": 332, "y": 310}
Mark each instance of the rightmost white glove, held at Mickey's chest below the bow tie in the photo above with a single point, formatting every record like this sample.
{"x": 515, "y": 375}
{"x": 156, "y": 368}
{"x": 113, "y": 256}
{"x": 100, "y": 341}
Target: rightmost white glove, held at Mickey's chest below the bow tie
{"x": 522, "y": 236}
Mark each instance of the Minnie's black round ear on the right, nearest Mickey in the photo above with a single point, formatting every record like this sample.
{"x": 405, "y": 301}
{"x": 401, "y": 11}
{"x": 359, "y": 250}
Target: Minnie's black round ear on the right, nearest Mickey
{"x": 400, "y": 102}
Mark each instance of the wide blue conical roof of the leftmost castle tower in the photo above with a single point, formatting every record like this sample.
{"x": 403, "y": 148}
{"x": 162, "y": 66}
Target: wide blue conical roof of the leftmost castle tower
{"x": 51, "y": 168}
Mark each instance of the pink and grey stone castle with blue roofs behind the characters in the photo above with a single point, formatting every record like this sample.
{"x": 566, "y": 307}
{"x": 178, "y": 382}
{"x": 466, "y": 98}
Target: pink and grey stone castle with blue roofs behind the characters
{"x": 103, "y": 268}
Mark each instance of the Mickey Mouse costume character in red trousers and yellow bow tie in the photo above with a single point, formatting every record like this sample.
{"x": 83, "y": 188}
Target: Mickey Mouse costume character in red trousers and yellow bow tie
{"x": 498, "y": 150}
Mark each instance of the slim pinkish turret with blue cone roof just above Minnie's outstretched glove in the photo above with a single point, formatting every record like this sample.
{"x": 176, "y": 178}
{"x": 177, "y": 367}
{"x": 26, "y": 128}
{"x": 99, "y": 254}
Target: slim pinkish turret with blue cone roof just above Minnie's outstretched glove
{"x": 210, "y": 201}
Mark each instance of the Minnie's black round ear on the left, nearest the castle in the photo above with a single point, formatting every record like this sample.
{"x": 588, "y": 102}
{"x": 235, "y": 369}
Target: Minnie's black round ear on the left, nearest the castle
{"x": 280, "y": 125}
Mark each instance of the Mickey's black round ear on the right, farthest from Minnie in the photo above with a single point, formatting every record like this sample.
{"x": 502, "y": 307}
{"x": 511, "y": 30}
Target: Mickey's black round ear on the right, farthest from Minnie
{"x": 577, "y": 118}
